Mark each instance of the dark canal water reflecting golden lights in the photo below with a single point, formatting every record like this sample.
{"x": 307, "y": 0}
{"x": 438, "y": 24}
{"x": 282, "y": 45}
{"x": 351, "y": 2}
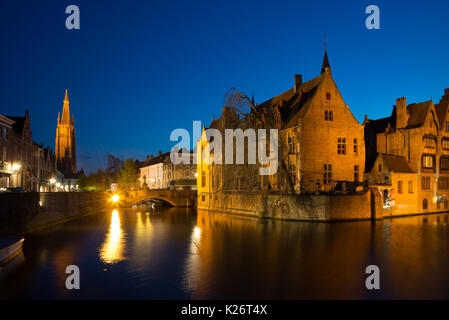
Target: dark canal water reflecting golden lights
{"x": 180, "y": 254}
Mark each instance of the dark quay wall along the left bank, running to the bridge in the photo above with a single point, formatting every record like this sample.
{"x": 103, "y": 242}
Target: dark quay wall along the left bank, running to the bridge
{"x": 27, "y": 212}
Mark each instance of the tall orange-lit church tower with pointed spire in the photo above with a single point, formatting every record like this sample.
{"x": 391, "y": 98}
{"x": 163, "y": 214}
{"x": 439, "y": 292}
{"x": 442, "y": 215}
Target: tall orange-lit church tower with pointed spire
{"x": 65, "y": 141}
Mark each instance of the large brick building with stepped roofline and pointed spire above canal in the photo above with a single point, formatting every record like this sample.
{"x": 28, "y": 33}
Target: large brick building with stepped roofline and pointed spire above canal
{"x": 321, "y": 143}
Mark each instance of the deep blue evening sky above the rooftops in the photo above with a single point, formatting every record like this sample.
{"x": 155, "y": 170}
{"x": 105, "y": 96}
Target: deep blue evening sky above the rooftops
{"x": 136, "y": 70}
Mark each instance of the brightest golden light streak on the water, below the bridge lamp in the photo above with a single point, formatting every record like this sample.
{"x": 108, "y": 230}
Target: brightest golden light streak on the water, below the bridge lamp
{"x": 113, "y": 247}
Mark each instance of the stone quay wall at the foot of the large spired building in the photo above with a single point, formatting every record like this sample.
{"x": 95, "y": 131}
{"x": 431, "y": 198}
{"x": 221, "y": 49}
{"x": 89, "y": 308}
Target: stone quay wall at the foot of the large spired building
{"x": 295, "y": 207}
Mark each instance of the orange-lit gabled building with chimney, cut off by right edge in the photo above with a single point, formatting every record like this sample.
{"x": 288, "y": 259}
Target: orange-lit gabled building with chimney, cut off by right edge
{"x": 418, "y": 133}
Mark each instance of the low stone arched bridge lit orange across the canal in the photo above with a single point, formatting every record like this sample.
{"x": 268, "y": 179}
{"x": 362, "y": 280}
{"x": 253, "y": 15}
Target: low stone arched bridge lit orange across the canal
{"x": 177, "y": 198}
